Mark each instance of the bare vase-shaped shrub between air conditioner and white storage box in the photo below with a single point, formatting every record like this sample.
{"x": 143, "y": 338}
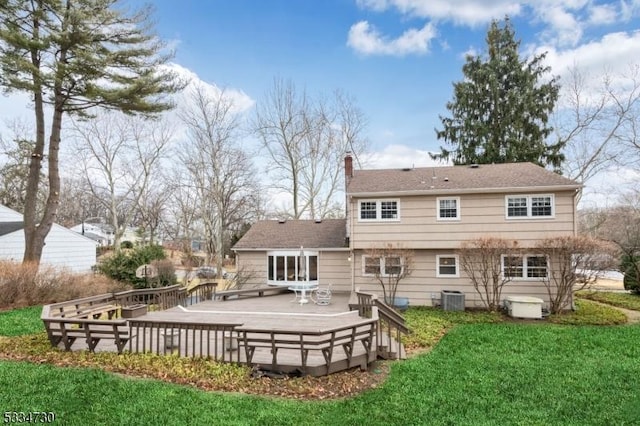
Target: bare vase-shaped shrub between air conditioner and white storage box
{"x": 482, "y": 260}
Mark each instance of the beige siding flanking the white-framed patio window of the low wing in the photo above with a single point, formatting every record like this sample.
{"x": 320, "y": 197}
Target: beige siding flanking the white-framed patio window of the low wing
{"x": 333, "y": 268}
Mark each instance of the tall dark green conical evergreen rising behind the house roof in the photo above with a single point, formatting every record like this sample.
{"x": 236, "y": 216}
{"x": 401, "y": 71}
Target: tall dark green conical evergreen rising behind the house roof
{"x": 500, "y": 110}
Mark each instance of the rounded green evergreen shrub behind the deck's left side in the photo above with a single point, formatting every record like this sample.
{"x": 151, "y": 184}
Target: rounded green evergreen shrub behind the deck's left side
{"x": 122, "y": 266}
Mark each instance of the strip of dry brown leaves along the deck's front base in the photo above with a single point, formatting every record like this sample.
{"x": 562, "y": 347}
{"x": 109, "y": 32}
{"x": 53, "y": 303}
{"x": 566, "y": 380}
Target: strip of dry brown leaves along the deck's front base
{"x": 199, "y": 373}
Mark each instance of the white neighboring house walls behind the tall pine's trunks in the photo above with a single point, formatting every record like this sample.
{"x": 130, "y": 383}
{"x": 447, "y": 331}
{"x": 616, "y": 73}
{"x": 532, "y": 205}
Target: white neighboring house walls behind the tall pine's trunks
{"x": 63, "y": 247}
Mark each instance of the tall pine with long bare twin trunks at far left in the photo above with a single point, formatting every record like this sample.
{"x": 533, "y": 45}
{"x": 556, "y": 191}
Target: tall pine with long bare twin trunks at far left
{"x": 73, "y": 55}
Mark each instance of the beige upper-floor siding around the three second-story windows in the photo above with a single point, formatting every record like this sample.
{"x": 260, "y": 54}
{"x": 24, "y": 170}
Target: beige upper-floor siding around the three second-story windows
{"x": 480, "y": 215}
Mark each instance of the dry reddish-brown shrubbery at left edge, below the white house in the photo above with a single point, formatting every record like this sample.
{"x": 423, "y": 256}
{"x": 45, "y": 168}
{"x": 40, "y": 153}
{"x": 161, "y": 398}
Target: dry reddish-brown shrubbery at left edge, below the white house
{"x": 28, "y": 285}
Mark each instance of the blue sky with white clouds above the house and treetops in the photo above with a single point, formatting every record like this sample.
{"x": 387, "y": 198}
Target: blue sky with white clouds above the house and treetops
{"x": 398, "y": 58}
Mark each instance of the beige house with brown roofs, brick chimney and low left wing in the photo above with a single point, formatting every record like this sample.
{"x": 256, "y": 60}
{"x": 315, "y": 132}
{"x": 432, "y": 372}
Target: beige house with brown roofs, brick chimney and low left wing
{"x": 430, "y": 211}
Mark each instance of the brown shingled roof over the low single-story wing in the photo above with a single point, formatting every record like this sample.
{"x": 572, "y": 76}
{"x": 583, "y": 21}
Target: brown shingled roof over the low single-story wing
{"x": 291, "y": 234}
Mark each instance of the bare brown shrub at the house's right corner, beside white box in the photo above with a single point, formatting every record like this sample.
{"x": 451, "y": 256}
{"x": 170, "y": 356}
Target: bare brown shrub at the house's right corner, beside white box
{"x": 574, "y": 263}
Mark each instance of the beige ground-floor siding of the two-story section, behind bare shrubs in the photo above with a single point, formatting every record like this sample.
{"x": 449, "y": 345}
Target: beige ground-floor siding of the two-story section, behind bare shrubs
{"x": 423, "y": 283}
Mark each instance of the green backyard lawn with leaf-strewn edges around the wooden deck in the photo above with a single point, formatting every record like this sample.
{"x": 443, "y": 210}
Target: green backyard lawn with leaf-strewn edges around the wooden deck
{"x": 483, "y": 369}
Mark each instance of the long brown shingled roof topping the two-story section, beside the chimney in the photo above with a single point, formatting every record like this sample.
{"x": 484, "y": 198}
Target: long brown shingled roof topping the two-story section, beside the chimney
{"x": 509, "y": 176}
